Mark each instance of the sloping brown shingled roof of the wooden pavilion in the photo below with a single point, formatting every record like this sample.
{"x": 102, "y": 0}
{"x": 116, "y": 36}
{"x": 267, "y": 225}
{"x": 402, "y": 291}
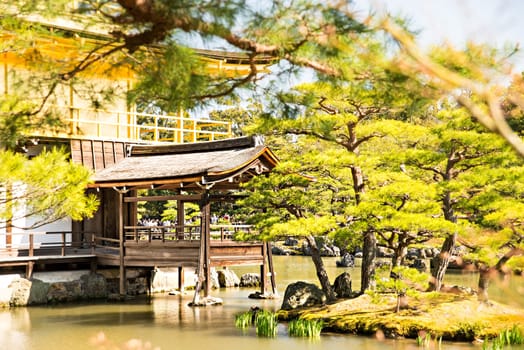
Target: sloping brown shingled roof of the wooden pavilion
{"x": 211, "y": 161}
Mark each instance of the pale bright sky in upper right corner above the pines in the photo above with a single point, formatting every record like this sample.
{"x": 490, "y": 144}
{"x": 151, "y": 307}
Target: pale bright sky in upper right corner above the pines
{"x": 495, "y": 22}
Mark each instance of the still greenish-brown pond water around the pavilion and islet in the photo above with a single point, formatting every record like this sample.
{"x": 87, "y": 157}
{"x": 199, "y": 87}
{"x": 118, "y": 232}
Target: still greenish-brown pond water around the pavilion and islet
{"x": 166, "y": 322}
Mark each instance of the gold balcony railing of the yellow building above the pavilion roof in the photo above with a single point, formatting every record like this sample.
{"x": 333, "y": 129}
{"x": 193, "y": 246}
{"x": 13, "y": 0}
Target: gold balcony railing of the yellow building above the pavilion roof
{"x": 137, "y": 127}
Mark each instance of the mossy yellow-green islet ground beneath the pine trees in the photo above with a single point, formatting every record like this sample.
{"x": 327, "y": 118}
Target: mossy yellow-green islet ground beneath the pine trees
{"x": 454, "y": 317}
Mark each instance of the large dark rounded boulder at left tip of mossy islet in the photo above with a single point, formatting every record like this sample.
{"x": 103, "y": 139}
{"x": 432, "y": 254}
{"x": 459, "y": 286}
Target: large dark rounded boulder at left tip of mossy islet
{"x": 302, "y": 294}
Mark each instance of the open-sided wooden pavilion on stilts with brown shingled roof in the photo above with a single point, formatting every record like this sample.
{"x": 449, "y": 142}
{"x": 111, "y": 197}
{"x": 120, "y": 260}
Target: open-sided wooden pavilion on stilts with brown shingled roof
{"x": 199, "y": 172}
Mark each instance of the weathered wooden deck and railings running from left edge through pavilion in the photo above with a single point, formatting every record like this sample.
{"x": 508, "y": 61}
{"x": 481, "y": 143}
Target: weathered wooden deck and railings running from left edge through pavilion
{"x": 144, "y": 247}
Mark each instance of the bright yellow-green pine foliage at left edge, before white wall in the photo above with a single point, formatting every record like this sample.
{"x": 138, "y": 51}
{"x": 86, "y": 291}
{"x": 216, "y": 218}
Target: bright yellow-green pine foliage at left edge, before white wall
{"x": 46, "y": 188}
